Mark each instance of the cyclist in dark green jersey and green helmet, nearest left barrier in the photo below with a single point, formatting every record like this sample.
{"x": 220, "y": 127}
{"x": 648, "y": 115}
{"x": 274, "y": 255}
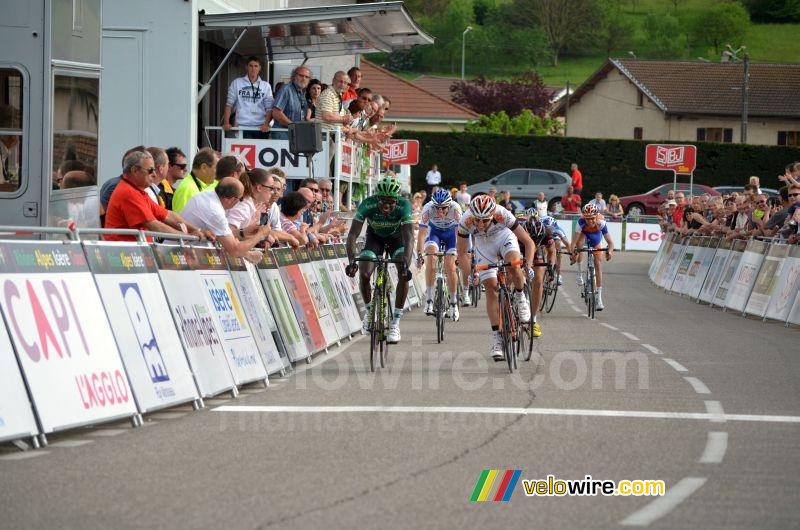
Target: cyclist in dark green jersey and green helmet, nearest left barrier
{"x": 390, "y": 227}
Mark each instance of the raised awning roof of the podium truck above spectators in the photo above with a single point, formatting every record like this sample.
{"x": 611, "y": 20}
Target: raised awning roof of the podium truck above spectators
{"x": 301, "y": 33}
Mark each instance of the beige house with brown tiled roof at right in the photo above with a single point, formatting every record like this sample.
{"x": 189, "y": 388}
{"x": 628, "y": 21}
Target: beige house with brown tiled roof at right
{"x": 686, "y": 101}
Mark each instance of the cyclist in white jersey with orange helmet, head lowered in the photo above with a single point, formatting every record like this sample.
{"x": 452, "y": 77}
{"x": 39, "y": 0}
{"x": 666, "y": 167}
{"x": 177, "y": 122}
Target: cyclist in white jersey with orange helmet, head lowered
{"x": 496, "y": 234}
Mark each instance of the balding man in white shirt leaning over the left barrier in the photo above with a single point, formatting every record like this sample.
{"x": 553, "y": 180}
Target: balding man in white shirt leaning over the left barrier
{"x": 207, "y": 210}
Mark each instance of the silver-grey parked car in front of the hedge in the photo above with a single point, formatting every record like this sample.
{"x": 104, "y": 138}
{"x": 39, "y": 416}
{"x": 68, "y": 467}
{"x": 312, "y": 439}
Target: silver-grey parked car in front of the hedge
{"x": 525, "y": 184}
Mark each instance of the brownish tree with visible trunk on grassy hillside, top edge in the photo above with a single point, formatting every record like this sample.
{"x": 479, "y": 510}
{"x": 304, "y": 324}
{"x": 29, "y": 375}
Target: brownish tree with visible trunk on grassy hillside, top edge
{"x": 564, "y": 22}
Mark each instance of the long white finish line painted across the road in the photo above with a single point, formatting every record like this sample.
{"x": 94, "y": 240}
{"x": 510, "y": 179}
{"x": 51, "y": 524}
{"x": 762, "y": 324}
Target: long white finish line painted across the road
{"x": 646, "y": 414}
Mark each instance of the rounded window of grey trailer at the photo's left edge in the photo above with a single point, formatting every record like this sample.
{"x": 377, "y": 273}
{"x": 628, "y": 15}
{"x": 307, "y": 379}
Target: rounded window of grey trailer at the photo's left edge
{"x": 11, "y": 130}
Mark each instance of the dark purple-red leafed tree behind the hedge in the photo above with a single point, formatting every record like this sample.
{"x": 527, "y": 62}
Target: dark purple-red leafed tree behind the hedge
{"x": 512, "y": 97}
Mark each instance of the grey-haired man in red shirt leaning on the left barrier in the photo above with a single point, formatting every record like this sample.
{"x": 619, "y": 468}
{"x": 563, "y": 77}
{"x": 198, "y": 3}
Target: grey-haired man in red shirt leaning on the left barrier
{"x": 130, "y": 206}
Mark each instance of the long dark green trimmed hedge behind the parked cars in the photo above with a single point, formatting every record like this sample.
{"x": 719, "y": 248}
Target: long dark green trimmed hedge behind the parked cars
{"x": 610, "y": 166}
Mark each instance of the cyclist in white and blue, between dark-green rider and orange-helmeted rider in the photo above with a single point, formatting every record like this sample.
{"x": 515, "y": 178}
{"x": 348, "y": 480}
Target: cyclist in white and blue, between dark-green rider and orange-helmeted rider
{"x": 438, "y": 222}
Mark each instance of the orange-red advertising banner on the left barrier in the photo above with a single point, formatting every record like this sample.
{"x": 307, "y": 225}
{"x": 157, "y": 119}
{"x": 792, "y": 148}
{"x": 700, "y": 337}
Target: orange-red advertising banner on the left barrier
{"x": 300, "y": 298}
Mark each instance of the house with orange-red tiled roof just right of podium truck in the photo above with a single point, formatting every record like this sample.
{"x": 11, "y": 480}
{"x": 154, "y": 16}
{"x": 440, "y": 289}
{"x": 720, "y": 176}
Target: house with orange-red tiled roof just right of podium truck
{"x": 412, "y": 107}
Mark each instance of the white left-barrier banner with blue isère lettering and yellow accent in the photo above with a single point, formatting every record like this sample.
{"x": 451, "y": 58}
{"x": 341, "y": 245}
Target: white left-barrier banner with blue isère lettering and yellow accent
{"x": 226, "y": 309}
